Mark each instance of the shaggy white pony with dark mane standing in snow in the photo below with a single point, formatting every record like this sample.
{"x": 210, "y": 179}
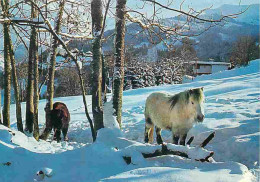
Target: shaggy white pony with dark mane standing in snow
{"x": 177, "y": 113}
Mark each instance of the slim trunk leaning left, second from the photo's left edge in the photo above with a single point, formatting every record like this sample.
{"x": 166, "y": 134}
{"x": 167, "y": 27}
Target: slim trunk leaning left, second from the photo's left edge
{"x": 16, "y": 86}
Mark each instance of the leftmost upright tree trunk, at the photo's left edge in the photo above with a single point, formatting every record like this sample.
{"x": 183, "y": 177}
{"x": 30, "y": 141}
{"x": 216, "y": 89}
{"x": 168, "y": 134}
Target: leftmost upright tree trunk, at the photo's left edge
{"x": 7, "y": 68}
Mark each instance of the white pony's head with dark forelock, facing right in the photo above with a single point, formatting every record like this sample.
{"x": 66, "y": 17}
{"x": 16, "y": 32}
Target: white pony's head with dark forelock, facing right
{"x": 195, "y": 103}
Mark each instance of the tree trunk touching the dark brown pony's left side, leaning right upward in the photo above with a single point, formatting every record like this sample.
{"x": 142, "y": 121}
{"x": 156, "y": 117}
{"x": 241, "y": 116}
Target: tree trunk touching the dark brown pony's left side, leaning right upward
{"x": 50, "y": 86}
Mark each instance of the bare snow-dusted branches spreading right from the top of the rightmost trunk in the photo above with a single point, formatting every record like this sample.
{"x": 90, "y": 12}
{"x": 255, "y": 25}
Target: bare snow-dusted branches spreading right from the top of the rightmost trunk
{"x": 188, "y": 22}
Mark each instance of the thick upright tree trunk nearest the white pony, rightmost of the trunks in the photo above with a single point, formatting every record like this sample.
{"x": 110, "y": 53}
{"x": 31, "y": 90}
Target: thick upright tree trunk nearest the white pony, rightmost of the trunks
{"x": 119, "y": 60}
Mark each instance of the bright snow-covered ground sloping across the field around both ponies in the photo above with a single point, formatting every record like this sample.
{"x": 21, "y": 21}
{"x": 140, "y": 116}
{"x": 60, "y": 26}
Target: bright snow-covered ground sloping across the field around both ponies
{"x": 231, "y": 109}
